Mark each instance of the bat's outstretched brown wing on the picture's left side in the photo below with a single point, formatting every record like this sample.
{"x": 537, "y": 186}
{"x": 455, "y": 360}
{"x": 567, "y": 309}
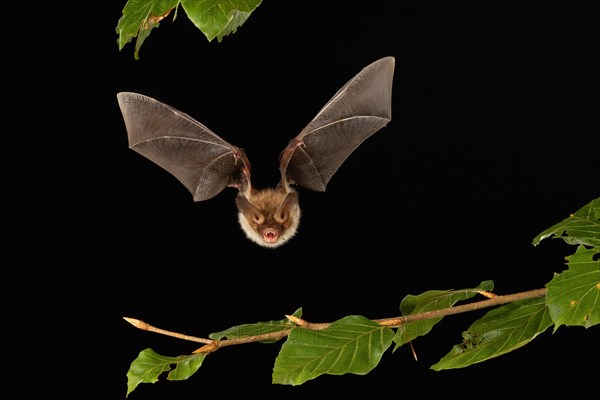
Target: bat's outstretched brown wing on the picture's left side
{"x": 203, "y": 162}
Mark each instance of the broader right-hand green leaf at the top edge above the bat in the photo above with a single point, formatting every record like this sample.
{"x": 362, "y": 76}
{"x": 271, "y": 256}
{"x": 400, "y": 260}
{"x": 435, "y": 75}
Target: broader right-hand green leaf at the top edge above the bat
{"x": 218, "y": 18}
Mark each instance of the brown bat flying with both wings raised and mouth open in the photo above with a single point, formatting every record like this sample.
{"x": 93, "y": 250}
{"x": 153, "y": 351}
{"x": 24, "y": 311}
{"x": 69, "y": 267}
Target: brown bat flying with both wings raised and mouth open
{"x": 206, "y": 164}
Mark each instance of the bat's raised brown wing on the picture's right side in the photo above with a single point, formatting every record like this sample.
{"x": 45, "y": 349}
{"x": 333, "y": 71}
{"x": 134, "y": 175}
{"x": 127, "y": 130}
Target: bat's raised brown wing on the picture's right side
{"x": 359, "y": 109}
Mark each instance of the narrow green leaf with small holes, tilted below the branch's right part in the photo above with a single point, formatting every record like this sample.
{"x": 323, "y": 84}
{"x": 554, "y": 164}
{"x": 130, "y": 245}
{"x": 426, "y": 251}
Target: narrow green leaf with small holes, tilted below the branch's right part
{"x": 498, "y": 332}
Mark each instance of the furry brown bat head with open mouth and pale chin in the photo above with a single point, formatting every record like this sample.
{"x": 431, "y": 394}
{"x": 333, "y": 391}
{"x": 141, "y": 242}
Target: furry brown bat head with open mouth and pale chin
{"x": 269, "y": 217}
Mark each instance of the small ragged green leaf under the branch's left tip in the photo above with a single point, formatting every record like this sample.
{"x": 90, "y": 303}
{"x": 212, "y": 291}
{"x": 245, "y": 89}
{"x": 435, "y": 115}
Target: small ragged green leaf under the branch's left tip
{"x": 147, "y": 367}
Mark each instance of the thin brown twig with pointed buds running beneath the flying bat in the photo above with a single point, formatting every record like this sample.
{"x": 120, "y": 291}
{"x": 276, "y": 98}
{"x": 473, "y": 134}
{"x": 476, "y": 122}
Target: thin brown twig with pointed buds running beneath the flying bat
{"x": 213, "y": 345}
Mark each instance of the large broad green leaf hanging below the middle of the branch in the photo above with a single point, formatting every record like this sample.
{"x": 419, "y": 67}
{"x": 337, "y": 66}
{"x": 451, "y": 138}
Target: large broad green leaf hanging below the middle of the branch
{"x": 353, "y": 344}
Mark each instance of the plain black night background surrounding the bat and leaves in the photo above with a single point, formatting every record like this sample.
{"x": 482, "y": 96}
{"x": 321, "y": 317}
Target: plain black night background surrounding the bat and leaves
{"x": 493, "y": 138}
